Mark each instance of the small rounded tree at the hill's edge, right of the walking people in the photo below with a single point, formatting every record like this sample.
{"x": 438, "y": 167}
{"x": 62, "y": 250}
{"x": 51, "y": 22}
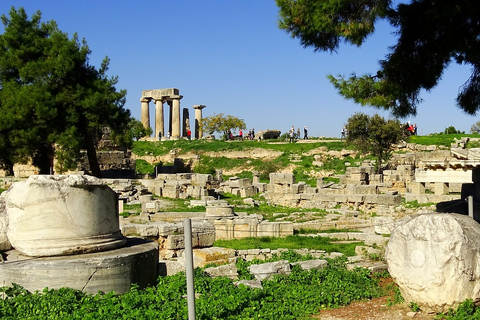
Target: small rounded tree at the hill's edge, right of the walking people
{"x": 374, "y": 135}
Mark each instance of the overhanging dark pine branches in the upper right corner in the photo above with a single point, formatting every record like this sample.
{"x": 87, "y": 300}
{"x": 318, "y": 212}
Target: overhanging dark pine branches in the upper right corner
{"x": 431, "y": 35}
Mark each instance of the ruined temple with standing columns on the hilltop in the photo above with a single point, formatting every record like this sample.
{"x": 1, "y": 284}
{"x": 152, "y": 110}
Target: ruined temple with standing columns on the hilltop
{"x": 178, "y": 126}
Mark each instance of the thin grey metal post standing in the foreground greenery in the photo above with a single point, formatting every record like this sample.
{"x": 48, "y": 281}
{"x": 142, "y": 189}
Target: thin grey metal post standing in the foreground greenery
{"x": 187, "y": 231}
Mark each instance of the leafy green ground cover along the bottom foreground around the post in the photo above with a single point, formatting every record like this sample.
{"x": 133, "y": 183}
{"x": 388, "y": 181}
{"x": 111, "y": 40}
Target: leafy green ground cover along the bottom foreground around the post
{"x": 295, "y": 296}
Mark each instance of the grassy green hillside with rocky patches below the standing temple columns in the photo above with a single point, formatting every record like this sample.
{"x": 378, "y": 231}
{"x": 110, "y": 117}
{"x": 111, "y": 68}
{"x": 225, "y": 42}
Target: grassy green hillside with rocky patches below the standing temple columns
{"x": 236, "y": 158}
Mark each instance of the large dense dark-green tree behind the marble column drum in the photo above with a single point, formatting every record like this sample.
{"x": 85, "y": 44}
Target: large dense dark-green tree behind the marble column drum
{"x": 52, "y": 100}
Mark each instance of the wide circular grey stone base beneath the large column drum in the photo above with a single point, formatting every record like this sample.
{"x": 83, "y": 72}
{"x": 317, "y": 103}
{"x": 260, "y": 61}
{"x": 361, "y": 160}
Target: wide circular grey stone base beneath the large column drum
{"x": 114, "y": 270}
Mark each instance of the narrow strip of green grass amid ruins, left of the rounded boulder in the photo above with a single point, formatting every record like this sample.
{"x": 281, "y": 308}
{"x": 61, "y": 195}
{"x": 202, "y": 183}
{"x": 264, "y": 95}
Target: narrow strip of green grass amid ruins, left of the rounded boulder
{"x": 290, "y": 242}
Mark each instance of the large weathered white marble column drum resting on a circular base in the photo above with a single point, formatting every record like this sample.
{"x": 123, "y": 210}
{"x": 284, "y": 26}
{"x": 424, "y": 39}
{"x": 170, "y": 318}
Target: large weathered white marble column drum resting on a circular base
{"x": 62, "y": 215}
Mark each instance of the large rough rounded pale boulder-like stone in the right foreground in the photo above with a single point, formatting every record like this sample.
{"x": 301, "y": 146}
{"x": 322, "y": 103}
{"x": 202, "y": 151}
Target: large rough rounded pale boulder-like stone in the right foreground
{"x": 433, "y": 258}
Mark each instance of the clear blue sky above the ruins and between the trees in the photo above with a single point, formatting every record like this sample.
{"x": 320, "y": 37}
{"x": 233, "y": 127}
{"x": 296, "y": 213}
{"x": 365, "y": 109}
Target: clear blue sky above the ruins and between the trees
{"x": 231, "y": 57}
